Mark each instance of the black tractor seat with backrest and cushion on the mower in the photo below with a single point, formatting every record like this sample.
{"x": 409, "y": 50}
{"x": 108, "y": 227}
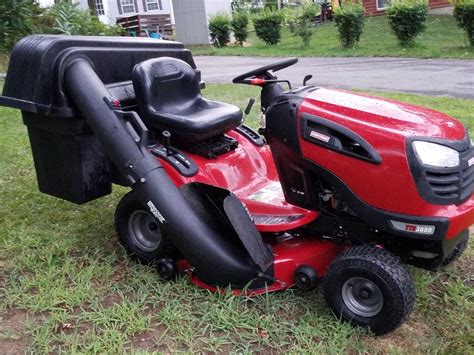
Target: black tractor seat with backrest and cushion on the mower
{"x": 168, "y": 94}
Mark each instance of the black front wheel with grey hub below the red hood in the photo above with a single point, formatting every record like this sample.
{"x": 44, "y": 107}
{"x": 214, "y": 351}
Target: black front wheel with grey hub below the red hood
{"x": 369, "y": 287}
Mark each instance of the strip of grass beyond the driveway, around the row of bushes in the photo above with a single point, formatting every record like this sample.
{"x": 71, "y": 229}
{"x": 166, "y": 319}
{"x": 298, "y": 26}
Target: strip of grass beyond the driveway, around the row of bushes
{"x": 442, "y": 39}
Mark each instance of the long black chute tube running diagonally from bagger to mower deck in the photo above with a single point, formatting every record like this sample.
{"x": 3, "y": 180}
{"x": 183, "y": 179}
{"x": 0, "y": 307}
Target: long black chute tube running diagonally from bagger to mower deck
{"x": 216, "y": 261}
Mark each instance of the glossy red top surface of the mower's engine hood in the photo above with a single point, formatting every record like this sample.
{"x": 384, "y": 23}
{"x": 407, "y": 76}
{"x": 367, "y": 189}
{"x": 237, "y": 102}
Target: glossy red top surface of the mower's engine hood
{"x": 393, "y": 116}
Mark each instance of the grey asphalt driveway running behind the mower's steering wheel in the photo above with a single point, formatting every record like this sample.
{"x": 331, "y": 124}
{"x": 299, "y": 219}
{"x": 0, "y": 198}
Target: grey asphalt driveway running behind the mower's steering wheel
{"x": 434, "y": 77}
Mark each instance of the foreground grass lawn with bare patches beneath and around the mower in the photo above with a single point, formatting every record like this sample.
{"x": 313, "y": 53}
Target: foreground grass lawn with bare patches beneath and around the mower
{"x": 66, "y": 284}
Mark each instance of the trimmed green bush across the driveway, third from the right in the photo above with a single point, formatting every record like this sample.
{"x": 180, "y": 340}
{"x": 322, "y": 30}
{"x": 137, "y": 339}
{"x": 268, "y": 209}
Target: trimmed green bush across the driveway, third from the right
{"x": 349, "y": 19}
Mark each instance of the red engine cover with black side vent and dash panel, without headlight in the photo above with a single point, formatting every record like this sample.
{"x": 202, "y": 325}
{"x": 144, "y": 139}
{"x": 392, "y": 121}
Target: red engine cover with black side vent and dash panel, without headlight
{"x": 364, "y": 143}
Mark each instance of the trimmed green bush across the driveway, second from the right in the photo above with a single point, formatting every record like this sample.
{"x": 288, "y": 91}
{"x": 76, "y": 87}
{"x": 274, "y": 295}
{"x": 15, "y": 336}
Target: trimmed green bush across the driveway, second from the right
{"x": 407, "y": 18}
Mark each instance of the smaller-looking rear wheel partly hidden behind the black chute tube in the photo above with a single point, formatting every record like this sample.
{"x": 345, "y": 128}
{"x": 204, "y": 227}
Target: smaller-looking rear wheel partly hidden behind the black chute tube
{"x": 139, "y": 232}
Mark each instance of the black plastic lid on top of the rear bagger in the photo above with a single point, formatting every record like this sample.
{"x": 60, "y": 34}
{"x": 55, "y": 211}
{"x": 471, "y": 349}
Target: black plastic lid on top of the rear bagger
{"x": 34, "y": 81}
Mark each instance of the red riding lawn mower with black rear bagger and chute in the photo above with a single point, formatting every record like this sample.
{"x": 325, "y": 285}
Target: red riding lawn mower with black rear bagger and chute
{"x": 335, "y": 187}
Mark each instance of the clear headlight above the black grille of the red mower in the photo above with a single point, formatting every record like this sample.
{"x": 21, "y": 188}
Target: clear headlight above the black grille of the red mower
{"x": 436, "y": 154}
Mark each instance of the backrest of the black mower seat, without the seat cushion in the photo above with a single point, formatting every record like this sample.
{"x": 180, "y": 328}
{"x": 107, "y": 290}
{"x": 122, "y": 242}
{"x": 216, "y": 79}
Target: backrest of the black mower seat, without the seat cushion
{"x": 163, "y": 83}
